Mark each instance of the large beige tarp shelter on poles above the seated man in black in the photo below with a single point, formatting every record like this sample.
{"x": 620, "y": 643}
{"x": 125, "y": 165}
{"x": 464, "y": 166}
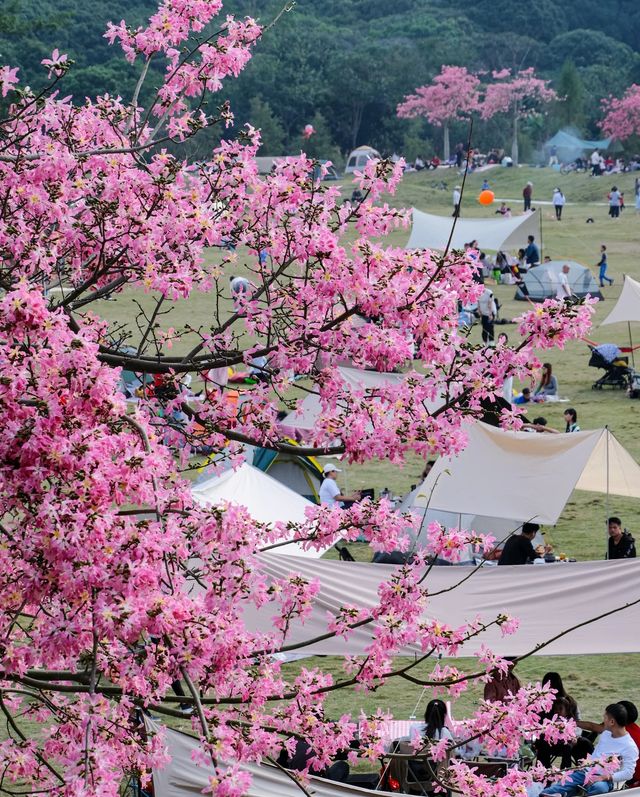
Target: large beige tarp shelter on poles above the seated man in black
{"x": 528, "y": 476}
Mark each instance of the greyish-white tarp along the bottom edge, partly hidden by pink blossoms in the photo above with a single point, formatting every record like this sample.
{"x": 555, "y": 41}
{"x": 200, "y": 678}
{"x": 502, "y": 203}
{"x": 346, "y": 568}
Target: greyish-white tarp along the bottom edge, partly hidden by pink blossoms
{"x": 182, "y": 777}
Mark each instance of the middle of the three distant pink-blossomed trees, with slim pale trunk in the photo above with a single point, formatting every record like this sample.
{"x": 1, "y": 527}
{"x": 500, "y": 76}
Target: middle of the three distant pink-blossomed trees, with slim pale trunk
{"x": 518, "y": 95}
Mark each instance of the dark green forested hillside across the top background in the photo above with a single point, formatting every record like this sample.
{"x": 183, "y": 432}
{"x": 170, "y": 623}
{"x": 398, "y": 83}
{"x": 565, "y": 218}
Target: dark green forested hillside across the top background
{"x": 343, "y": 65}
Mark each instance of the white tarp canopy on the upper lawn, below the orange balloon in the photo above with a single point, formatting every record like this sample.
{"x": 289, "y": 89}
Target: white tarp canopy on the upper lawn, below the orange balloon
{"x": 432, "y": 232}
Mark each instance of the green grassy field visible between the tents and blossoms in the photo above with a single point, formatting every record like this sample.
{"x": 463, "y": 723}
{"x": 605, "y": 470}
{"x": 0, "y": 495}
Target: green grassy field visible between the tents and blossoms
{"x": 594, "y": 680}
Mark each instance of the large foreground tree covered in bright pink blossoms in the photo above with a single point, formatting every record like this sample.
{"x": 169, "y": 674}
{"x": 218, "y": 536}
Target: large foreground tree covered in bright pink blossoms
{"x": 115, "y": 584}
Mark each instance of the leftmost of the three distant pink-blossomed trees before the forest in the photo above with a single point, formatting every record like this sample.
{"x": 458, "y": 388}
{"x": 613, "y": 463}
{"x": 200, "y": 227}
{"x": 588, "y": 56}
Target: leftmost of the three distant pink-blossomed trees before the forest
{"x": 452, "y": 95}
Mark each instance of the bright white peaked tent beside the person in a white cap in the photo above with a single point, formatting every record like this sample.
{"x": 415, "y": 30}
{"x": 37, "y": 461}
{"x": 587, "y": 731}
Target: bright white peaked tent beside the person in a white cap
{"x": 265, "y": 498}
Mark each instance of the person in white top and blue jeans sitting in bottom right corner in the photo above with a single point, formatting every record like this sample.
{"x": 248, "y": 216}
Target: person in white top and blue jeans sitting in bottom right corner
{"x": 616, "y": 741}
